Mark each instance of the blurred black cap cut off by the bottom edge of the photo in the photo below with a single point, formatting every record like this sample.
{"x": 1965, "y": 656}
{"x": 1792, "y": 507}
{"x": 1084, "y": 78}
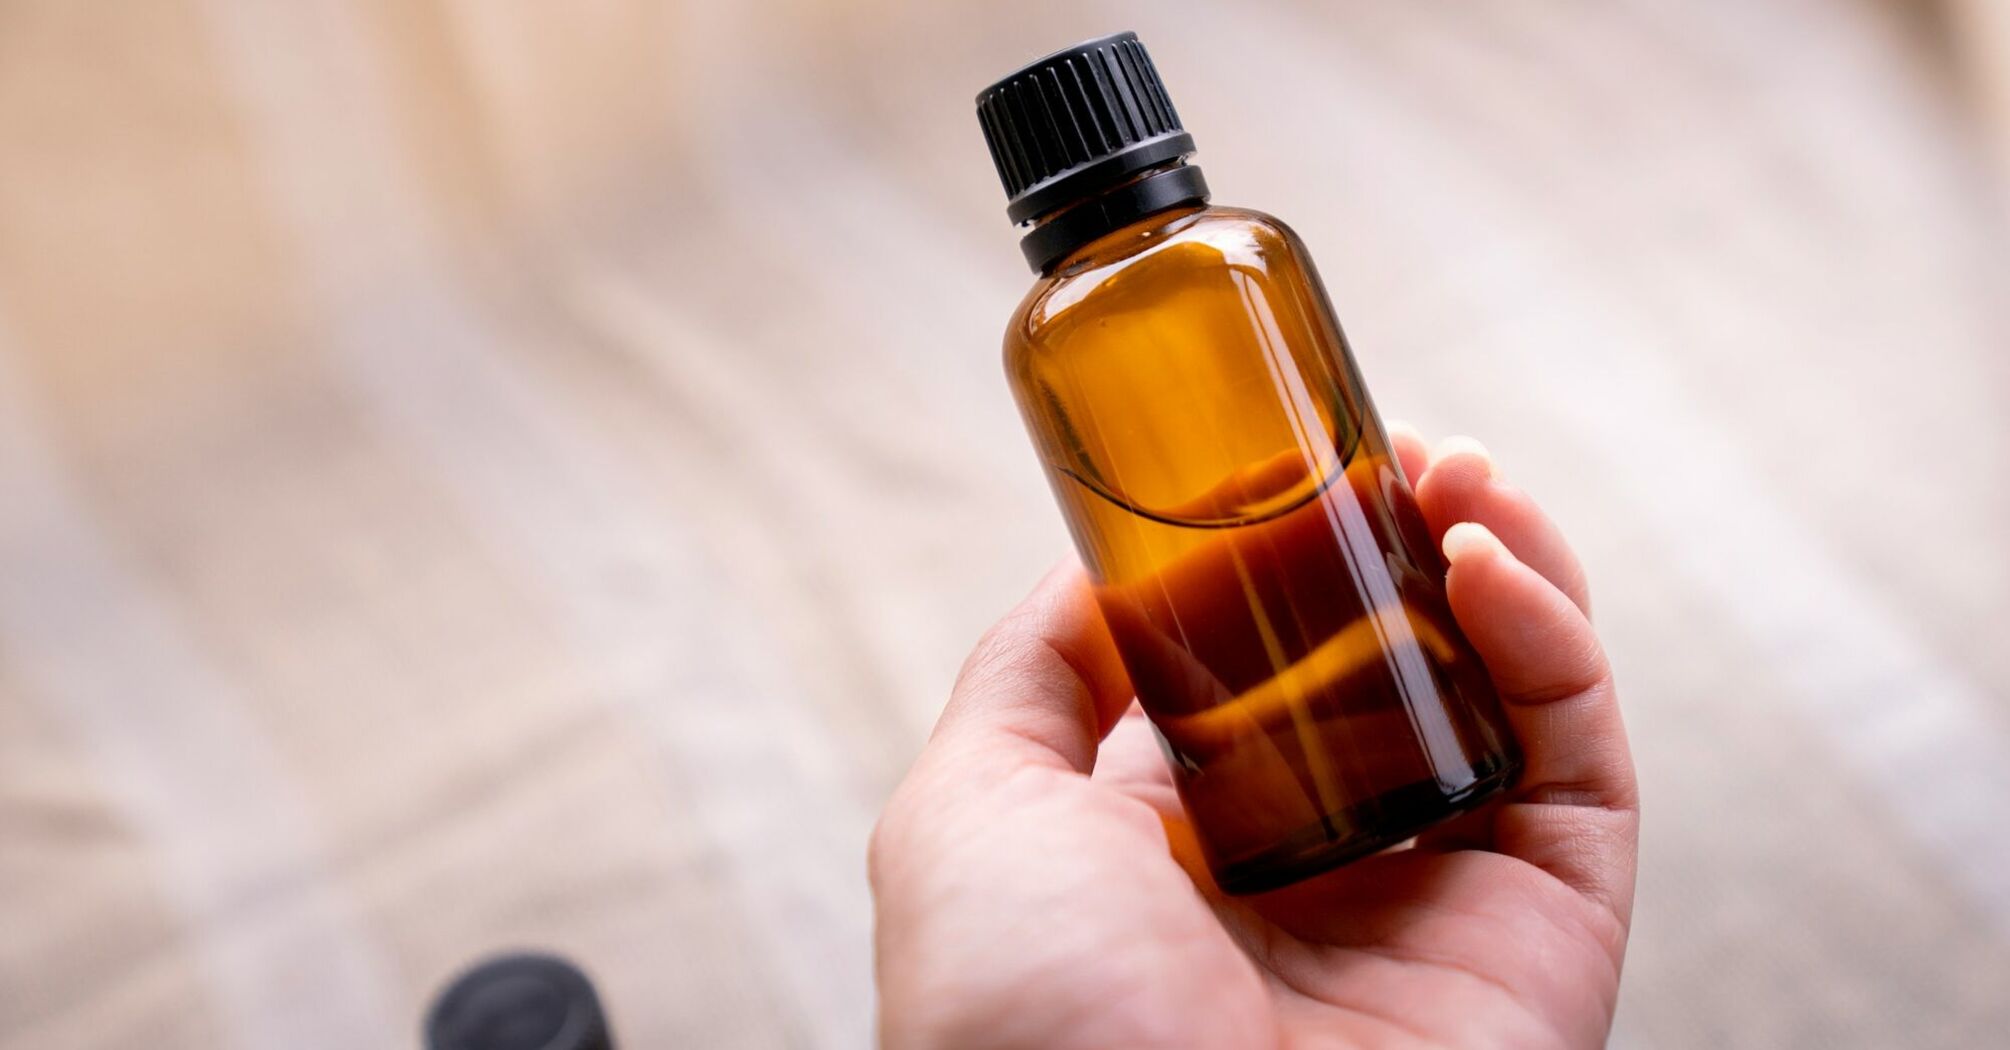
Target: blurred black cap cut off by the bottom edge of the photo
{"x": 520, "y": 1003}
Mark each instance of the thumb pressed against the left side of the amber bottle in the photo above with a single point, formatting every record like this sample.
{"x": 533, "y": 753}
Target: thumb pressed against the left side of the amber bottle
{"x": 1042, "y": 687}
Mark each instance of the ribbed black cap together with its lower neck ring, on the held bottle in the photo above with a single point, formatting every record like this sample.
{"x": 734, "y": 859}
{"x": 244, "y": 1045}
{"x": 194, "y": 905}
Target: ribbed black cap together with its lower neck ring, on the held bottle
{"x": 1082, "y": 124}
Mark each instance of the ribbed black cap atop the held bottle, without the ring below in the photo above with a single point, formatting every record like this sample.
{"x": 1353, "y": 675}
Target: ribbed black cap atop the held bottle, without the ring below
{"x": 1076, "y": 124}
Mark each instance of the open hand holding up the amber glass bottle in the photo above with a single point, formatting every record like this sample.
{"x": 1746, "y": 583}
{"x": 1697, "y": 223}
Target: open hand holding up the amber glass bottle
{"x": 1038, "y": 886}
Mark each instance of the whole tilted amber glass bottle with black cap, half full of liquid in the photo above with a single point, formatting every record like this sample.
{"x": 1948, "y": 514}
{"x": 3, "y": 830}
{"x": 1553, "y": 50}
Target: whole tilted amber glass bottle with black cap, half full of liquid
{"x": 1255, "y": 546}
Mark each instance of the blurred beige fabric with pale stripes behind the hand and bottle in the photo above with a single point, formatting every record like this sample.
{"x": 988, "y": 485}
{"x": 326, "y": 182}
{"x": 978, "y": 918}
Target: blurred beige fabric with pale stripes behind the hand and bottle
{"x": 487, "y": 476}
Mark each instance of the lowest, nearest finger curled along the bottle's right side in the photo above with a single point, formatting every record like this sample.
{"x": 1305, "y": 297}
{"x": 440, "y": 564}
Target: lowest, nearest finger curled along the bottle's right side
{"x": 1577, "y": 810}
